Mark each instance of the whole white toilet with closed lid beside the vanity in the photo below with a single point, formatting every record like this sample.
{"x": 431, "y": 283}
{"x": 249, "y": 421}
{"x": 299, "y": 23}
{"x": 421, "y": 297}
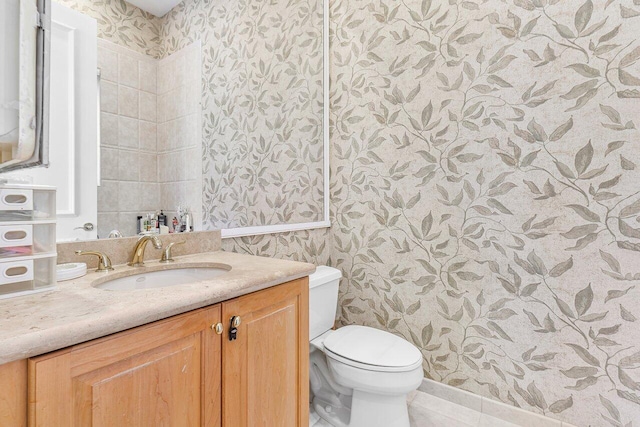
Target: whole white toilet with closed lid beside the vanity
{"x": 359, "y": 376}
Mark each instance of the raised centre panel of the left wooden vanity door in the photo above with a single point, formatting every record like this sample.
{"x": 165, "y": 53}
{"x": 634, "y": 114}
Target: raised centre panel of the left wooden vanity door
{"x": 166, "y": 379}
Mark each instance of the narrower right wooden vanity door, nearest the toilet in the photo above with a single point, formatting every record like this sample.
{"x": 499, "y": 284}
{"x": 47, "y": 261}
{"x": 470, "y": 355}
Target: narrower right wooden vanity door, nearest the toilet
{"x": 265, "y": 378}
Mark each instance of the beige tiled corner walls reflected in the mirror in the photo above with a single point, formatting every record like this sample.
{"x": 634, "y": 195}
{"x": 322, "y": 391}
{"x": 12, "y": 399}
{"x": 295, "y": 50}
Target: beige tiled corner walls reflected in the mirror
{"x": 150, "y": 141}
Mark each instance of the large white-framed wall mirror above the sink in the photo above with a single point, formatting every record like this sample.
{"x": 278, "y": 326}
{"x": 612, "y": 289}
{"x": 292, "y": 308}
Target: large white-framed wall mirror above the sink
{"x": 211, "y": 116}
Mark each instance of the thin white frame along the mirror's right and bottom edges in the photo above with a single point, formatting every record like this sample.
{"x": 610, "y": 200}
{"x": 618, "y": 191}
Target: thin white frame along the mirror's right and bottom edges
{"x": 326, "y": 221}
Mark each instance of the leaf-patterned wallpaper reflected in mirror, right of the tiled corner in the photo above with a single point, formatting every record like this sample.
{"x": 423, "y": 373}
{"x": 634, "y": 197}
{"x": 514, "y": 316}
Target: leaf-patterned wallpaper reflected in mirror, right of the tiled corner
{"x": 262, "y": 107}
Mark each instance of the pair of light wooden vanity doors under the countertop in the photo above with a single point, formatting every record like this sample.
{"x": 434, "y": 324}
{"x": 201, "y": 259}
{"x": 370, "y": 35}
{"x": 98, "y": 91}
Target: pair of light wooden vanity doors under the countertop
{"x": 179, "y": 372}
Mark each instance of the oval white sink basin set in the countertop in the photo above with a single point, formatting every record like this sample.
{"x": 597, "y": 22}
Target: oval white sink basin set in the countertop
{"x": 162, "y": 278}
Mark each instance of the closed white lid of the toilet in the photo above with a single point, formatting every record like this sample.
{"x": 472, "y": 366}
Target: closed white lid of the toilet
{"x": 373, "y": 347}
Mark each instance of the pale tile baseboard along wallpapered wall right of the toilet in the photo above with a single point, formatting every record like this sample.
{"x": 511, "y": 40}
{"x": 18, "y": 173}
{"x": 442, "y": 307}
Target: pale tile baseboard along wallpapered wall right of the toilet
{"x": 488, "y": 406}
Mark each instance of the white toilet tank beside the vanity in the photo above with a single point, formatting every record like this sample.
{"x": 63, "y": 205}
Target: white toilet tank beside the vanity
{"x": 323, "y": 300}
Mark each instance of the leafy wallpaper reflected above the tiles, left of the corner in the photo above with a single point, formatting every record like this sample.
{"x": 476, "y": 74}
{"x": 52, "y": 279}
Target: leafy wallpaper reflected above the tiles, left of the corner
{"x": 122, "y": 23}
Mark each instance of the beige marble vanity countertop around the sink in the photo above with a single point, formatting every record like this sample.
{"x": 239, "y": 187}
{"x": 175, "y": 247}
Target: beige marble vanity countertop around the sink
{"x": 76, "y": 312}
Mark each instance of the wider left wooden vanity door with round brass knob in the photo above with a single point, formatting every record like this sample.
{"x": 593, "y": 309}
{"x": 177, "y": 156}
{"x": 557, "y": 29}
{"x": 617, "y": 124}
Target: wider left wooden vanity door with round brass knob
{"x": 163, "y": 374}
